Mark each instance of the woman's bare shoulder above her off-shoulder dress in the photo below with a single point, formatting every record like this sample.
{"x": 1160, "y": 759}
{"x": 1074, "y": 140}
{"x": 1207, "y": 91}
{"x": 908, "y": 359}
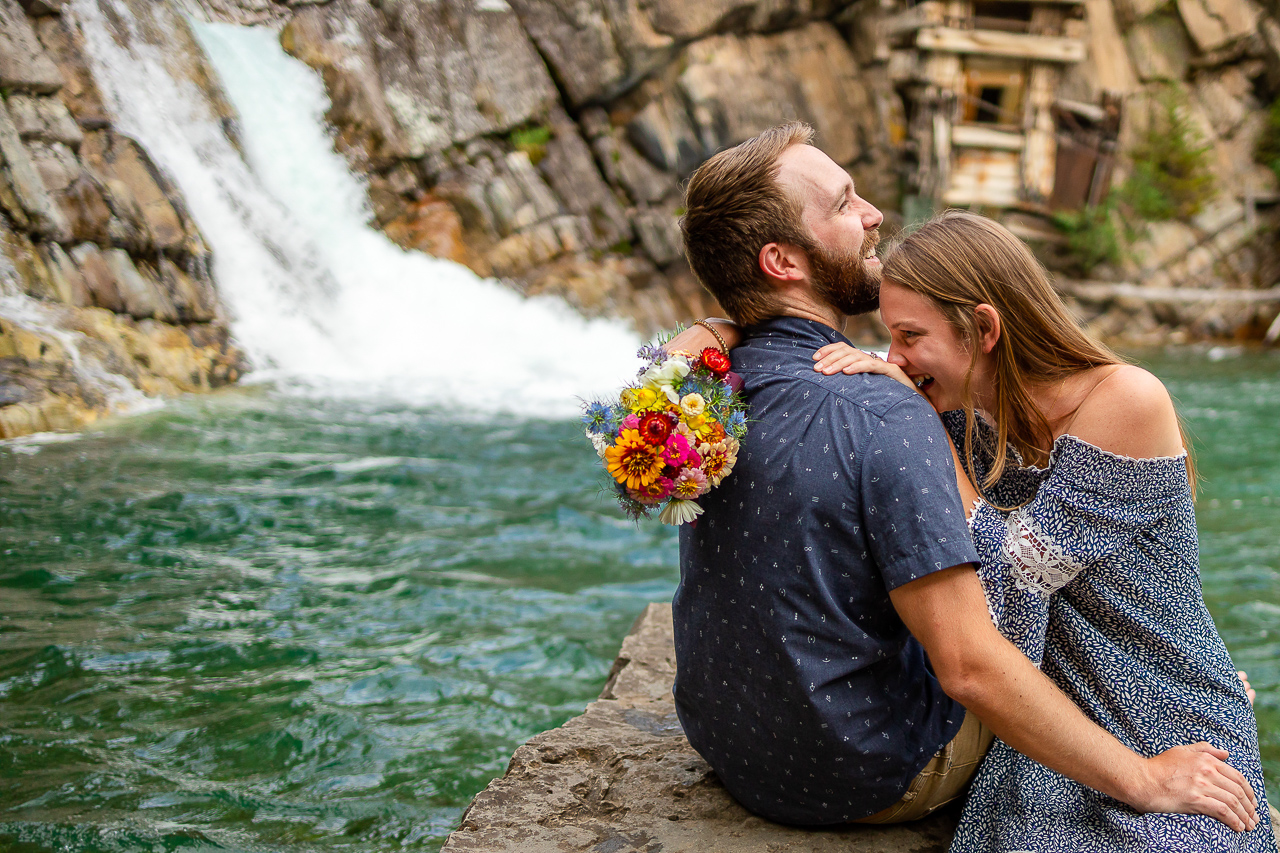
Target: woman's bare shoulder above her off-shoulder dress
{"x": 1130, "y": 413}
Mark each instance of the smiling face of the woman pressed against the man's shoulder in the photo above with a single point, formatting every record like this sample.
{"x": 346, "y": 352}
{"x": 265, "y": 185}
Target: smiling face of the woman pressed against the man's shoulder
{"x": 926, "y": 346}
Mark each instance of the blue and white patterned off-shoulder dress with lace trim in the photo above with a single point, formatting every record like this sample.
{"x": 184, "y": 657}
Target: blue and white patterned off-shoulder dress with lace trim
{"x": 1098, "y": 582}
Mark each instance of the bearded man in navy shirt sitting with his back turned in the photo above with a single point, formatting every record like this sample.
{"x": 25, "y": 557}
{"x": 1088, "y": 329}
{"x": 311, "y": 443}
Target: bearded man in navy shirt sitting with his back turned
{"x": 830, "y": 628}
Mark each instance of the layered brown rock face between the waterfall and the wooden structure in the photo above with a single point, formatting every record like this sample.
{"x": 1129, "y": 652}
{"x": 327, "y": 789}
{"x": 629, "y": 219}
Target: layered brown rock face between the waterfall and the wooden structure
{"x": 545, "y": 142}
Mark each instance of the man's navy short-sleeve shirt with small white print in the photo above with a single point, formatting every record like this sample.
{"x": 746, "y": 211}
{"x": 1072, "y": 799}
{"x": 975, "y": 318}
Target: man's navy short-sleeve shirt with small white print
{"x": 797, "y": 681}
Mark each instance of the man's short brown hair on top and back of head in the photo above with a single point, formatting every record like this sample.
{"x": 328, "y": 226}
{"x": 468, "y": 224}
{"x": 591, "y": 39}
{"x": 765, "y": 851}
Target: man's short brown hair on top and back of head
{"x": 734, "y": 207}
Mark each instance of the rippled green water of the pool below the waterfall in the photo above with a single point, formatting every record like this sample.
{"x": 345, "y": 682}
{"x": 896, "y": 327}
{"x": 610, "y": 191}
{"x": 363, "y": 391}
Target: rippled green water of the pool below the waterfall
{"x": 257, "y": 622}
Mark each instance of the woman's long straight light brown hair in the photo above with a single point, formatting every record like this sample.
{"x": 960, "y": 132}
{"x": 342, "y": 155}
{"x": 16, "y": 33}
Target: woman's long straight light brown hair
{"x": 962, "y": 261}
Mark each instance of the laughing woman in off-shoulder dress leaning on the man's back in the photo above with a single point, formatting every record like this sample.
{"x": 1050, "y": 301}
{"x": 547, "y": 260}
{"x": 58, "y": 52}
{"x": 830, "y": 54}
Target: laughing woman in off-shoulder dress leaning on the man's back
{"x": 1086, "y": 531}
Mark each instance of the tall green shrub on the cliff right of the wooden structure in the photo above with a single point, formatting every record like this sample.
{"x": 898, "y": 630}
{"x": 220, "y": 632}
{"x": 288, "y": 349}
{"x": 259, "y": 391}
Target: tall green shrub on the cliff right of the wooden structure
{"x": 1171, "y": 177}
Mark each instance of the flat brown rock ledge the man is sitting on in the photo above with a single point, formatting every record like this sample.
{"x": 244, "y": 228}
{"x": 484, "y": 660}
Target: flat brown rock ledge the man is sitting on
{"x": 623, "y": 777}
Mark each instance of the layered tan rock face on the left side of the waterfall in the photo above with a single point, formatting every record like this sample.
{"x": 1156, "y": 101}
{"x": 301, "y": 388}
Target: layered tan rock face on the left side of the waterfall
{"x": 104, "y": 280}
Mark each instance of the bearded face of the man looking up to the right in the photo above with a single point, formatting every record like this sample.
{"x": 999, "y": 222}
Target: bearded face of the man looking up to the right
{"x": 844, "y": 270}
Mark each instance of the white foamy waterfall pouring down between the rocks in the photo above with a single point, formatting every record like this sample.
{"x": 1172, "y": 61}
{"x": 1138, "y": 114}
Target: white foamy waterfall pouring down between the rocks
{"x": 318, "y": 299}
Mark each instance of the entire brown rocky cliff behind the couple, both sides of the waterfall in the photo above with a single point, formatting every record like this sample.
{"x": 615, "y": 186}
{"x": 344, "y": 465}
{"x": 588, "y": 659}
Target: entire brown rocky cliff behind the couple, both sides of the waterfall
{"x": 546, "y": 142}
